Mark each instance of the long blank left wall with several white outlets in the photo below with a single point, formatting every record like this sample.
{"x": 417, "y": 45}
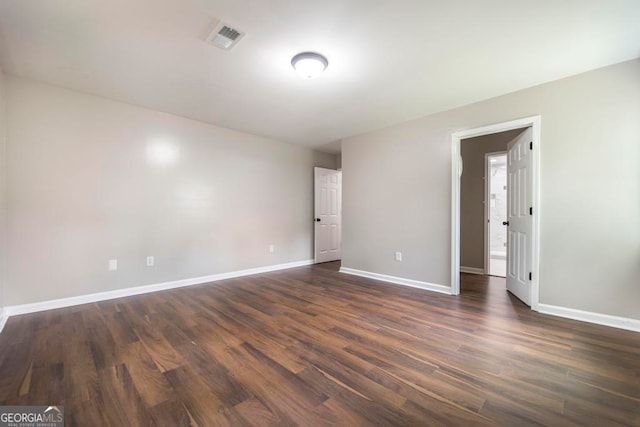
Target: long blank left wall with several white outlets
{"x": 85, "y": 185}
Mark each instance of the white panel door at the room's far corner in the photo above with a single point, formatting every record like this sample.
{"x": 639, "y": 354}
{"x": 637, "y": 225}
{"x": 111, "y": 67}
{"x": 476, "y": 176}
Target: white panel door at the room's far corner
{"x": 328, "y": 214}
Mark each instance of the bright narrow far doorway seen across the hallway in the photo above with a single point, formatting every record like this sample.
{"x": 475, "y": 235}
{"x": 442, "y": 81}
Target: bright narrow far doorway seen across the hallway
{"x": 496, "y": 213}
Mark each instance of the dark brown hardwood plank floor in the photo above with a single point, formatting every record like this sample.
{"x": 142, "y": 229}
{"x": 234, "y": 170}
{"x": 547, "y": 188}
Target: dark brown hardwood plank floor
{"x": 310, "y": 346}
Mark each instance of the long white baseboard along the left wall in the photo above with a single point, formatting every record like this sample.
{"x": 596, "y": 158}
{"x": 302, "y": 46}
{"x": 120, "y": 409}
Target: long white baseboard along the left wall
{"x": 119, "y": 293}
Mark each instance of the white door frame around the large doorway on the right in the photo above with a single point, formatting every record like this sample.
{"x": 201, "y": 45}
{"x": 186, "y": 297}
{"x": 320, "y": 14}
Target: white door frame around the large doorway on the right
{"x": 456, "y": 168}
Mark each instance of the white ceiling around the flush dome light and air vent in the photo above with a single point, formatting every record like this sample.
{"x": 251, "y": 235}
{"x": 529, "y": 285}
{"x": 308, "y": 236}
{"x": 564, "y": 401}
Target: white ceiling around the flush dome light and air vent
{"x": 389, "y": 60}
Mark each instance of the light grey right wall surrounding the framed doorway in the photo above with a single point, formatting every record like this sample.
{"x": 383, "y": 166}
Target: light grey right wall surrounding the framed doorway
{"x": 397, "y": 190}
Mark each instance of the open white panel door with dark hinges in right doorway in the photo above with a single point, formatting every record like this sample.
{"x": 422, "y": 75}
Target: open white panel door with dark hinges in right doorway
{"x": 519, "y": 216}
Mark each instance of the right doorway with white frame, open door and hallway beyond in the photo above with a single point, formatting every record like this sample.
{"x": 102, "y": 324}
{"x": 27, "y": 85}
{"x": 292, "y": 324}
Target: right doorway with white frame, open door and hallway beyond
{"x": 479, "y": 233}
